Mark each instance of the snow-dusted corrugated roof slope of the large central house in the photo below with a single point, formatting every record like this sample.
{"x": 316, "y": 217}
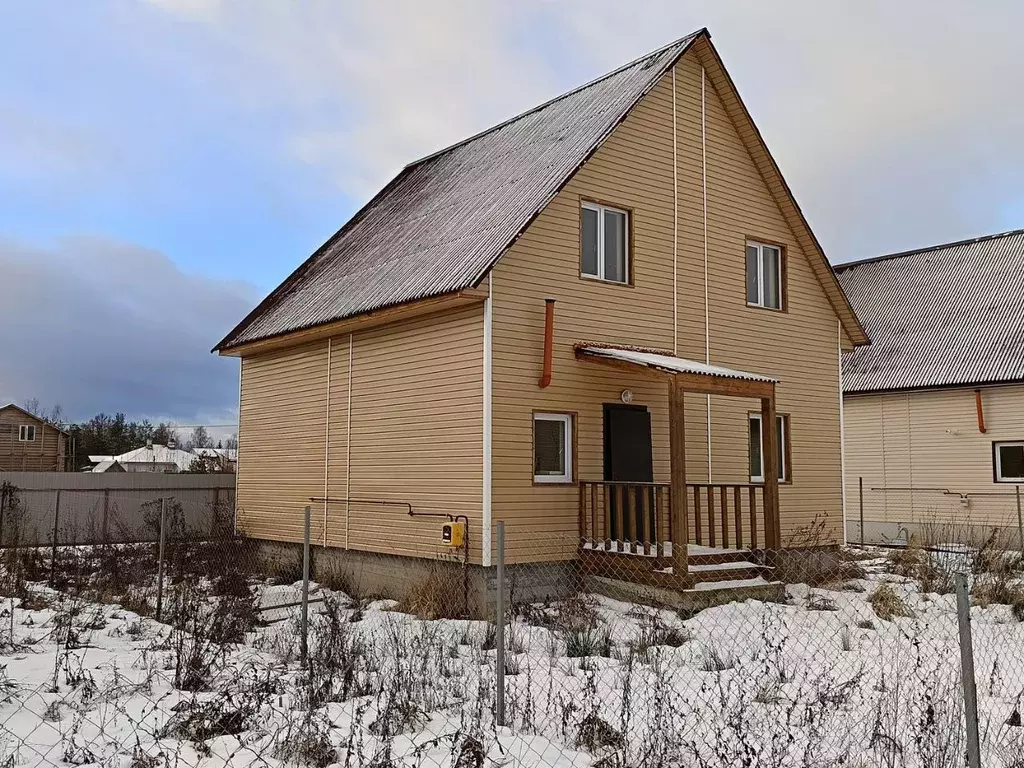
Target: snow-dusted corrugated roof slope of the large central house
{"x": 443, "y": 223}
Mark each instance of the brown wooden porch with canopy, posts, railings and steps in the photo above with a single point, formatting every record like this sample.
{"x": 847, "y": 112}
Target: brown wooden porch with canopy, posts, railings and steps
{"x": 679, "y": 534}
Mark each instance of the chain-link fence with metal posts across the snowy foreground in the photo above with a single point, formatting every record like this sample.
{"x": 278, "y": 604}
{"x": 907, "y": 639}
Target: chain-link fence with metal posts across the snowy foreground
{"x": 559, "y": 654}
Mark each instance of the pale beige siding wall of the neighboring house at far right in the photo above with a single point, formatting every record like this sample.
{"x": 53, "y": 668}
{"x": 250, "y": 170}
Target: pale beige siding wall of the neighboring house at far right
{"x": 911, "y": 447}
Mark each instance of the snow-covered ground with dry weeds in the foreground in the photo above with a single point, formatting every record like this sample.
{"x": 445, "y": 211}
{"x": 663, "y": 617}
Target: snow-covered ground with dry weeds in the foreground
{"x": 591, "y": 681}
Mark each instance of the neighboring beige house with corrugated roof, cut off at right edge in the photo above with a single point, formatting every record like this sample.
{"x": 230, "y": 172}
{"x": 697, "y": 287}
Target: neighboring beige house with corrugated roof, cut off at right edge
{"x": 934, "y": 416}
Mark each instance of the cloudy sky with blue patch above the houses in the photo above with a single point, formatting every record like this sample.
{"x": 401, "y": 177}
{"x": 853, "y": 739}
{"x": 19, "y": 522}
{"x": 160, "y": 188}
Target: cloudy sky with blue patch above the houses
{"x": 165, "y": 163}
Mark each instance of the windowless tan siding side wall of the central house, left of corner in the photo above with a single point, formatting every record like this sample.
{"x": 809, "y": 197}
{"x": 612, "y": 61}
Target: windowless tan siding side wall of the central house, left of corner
{"x": 415, "y": 436}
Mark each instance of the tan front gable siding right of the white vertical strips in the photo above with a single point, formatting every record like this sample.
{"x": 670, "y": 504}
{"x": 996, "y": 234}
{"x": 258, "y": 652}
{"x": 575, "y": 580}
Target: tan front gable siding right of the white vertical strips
{"x": 798, "y": 347}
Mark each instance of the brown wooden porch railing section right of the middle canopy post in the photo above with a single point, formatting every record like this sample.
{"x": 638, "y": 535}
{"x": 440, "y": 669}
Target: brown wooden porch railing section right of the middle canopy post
{"x": 728, "y": 515}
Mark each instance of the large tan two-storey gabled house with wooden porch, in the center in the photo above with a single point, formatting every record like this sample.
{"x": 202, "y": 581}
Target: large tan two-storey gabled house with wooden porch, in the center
{"x": 416, "y": 364}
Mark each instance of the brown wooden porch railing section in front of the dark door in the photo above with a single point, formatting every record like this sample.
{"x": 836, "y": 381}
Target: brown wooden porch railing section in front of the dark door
{"x": 626, "y": 518}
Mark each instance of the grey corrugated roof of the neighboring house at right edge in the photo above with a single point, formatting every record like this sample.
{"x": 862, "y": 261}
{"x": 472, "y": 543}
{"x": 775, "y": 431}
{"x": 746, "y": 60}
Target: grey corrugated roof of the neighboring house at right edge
{"x": 947, "y": 316}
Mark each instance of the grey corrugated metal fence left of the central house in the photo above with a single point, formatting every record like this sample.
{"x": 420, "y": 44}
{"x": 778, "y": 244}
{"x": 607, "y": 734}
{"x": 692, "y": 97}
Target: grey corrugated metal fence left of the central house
{"x": 72, "y": 508}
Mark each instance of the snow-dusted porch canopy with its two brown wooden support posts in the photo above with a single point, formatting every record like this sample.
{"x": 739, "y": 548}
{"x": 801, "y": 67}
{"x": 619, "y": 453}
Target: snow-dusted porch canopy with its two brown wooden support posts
{"x": 691, "y": 376}
